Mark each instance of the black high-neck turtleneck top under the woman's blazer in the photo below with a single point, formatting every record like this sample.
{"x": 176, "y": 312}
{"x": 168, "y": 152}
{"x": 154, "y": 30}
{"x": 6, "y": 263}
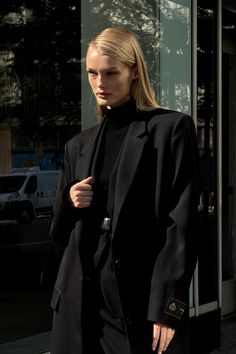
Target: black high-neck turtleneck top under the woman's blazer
{"x": 118, "y": 121}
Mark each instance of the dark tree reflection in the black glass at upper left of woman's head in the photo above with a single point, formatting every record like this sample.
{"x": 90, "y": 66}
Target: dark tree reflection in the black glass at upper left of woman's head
{"x": 39, "y": 64}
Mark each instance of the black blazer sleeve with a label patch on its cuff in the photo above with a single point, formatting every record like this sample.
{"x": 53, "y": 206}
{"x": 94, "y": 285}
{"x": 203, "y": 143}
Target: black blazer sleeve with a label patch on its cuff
{"x": 177, "y": 260}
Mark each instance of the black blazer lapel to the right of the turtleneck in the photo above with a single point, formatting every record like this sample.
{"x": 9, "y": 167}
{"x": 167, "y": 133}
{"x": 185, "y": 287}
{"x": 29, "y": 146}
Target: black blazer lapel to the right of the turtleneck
{"x": 134, "y": 143}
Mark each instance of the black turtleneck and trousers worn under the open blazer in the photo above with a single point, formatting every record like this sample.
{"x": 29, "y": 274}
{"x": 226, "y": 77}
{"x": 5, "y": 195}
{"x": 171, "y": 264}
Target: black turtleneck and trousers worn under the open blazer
{"x": 109, "y": 332}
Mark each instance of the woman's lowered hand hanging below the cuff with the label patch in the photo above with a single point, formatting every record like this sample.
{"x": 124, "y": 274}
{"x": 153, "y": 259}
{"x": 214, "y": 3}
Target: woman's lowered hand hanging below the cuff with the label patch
{"x": 163, "y": 335}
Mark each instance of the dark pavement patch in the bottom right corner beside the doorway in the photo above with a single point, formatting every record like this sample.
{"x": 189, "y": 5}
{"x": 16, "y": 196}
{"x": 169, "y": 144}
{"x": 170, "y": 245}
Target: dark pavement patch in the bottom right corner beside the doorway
{"x": 228, "y": 336}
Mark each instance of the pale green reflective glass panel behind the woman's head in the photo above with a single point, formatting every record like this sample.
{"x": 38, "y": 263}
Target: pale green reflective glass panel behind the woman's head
{"x": 164, "y": 30}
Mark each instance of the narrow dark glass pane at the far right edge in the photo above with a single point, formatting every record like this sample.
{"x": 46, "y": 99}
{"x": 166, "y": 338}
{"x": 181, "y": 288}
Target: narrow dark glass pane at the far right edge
{"x": 229, "y": 141}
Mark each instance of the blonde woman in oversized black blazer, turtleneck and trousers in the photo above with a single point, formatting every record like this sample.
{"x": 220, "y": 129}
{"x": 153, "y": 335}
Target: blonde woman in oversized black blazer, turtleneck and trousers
{"x": 125, "y": 213}
